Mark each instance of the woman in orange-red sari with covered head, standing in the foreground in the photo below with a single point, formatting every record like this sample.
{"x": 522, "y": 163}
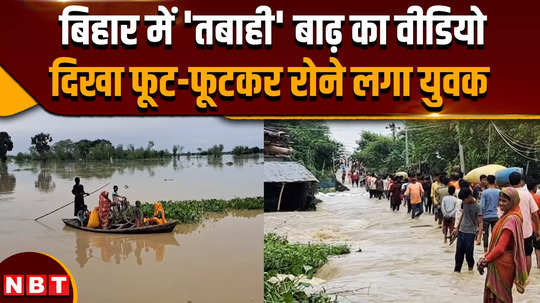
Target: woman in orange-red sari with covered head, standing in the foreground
{"x": 505, "y": 260}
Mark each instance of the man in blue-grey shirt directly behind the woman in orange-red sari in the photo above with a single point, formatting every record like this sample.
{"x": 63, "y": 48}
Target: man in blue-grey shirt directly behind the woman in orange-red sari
{"x": 489, "y": 204}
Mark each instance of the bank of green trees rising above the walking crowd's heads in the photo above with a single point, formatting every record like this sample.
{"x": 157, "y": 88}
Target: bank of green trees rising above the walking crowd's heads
{"x": 434, "y": 146}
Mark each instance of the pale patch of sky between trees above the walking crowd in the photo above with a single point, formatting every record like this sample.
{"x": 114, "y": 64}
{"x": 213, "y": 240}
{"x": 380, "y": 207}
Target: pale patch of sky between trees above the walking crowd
{"x": 349, "y": 131}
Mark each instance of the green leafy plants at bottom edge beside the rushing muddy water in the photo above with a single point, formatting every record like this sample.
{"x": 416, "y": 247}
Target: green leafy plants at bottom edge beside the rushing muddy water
{"x": 282, "y": 257}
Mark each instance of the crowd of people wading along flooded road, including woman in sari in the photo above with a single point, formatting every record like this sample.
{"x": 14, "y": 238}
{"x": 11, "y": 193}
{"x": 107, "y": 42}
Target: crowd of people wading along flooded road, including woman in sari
{"x": 501, "y": 217}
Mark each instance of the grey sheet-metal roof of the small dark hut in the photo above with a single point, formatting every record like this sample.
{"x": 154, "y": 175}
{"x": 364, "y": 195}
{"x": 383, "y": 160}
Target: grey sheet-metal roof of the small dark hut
{"x": 287, "y": 171}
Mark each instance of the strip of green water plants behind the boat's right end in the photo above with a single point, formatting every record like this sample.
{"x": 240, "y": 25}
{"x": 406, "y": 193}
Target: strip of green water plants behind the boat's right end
{"x": 194, "y": 211}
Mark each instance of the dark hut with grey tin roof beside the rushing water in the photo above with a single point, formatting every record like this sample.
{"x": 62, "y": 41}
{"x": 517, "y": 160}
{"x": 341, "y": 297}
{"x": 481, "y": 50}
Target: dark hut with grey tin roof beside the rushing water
{"x": 288, "y": 186}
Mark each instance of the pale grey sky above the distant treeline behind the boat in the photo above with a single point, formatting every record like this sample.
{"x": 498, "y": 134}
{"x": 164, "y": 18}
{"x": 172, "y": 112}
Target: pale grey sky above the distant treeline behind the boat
{"x": 190, "y": 132}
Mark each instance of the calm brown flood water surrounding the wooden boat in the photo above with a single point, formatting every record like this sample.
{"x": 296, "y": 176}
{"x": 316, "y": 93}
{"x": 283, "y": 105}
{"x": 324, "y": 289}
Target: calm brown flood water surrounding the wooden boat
{"x": 218, "y": 260}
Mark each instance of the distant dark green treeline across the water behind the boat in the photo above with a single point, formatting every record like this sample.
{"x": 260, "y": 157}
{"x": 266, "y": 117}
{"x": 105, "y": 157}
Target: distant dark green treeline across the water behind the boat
{"x": 43, "y": 148}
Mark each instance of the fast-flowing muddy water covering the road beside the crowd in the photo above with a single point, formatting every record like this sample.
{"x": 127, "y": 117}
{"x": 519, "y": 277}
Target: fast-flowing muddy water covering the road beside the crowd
{"x": 398, "y": 261}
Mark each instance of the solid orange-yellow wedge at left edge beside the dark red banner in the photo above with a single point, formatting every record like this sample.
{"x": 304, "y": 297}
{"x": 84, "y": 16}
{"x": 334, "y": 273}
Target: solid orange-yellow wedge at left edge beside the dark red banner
{"x": 13, "y": 99}
